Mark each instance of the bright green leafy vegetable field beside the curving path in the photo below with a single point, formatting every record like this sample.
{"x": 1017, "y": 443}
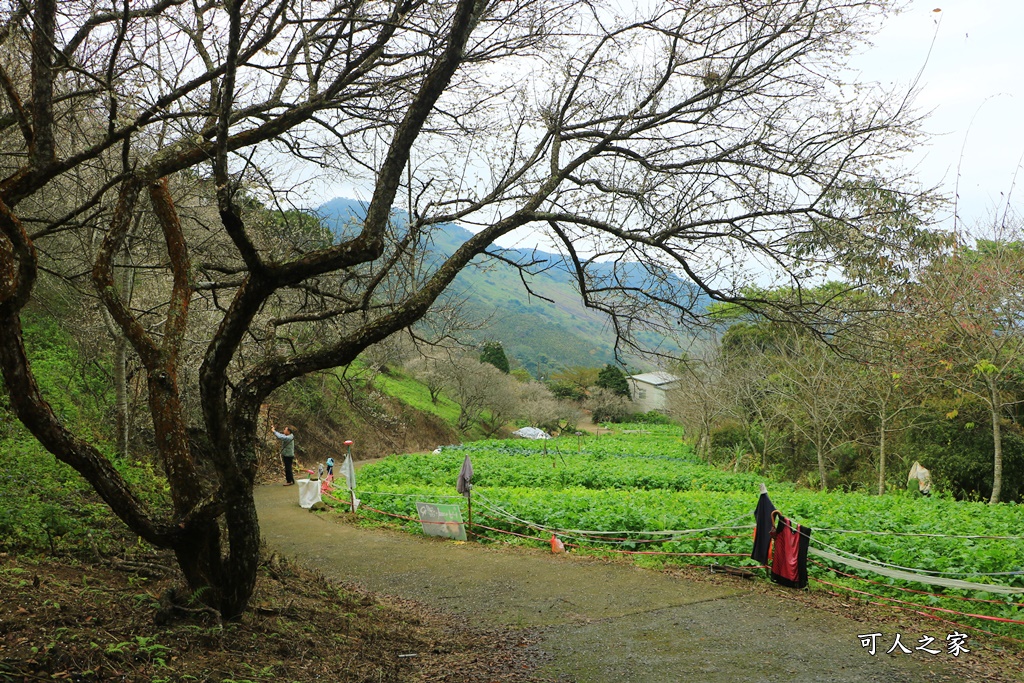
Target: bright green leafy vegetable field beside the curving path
{"x": 642, "y": 493}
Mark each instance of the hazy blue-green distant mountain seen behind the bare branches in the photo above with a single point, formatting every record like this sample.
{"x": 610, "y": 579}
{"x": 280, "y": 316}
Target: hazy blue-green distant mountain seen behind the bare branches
{"x": 541, "y": 336}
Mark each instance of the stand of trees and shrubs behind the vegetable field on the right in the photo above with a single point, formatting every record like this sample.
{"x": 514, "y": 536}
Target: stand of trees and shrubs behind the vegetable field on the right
{"x": 930, "y": 372}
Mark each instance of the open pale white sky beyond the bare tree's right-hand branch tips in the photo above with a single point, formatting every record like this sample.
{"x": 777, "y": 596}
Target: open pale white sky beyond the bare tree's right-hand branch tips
{"x": 973, "y": 86}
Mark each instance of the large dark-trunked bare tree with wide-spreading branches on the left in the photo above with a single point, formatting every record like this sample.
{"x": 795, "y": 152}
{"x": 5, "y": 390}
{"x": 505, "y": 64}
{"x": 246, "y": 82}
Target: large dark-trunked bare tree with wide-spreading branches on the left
{"x": 713, "y": 139}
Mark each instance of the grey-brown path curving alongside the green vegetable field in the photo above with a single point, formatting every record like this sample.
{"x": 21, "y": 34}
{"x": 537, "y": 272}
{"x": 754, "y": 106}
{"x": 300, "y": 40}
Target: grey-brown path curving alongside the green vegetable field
{"x": 605, "y": 622}
